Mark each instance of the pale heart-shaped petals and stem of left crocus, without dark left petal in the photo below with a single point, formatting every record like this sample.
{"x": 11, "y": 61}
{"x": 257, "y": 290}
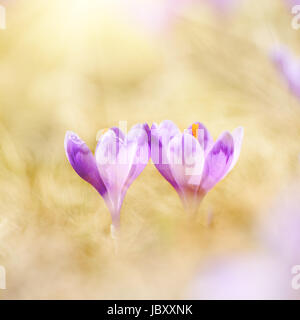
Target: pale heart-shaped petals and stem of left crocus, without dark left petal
{"x": 120, "y": 166}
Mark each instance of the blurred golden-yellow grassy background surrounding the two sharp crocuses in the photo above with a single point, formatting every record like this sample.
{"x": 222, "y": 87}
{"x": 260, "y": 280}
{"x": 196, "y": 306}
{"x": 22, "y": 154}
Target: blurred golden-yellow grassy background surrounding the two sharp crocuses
{"x": 86, "y": 65}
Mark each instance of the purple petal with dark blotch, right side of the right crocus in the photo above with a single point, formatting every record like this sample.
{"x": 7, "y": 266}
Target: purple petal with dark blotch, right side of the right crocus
{"x": 218, "y": 161}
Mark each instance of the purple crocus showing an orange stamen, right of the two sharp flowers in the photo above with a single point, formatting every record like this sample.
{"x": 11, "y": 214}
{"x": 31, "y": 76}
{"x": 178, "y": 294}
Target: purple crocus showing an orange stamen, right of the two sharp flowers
{"x": 191, "y": 161}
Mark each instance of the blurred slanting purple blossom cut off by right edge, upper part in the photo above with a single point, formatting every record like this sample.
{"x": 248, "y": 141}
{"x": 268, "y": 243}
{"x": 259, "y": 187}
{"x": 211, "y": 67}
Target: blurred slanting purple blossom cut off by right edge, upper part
{"x": 289, "y": 67}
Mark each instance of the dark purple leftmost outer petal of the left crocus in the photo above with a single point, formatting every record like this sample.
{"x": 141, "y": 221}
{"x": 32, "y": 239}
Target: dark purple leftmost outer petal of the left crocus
{"x": 83, "y": 161}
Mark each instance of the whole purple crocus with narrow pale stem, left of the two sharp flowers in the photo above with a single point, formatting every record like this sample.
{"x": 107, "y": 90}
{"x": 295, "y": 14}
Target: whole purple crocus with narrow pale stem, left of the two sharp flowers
{"x": 118, "y": 161}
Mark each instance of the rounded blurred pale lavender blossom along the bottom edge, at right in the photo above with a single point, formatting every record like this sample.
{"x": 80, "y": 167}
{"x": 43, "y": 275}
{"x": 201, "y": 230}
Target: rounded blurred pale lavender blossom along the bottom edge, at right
{"x": 248, "y": 275}
